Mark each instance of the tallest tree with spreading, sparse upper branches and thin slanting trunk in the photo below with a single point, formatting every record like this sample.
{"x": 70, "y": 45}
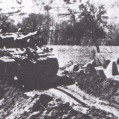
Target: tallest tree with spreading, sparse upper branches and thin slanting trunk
{"x": 94, "y": 20}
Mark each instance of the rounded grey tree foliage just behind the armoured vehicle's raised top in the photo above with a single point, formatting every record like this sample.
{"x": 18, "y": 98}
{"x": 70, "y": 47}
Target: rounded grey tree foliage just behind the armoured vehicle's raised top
{"x": 37, "y": 22}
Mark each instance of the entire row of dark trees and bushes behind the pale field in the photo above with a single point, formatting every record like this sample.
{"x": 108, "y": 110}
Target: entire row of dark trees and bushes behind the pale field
{"x": 91, "y": 28}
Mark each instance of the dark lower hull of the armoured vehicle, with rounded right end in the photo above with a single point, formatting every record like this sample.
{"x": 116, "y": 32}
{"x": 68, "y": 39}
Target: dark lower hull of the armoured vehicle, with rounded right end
{"x": 27, "y": 71}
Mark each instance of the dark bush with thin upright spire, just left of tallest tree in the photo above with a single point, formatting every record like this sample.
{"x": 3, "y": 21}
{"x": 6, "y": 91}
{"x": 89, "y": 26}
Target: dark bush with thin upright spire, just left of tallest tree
{"x": 72, "y": 30}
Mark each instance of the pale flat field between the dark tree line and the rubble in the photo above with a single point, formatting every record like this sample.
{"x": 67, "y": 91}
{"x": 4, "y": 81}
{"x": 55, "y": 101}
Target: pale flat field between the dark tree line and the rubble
{"x": 82, "y": 54}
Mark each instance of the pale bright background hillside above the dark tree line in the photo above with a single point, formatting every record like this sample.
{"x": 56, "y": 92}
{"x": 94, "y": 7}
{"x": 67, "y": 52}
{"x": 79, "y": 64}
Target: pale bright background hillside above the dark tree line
{"x": 18, "y": 9}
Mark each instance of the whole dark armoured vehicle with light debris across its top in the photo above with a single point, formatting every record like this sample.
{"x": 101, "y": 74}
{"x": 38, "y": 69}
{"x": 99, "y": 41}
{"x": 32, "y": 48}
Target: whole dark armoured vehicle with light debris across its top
{"x": 26, "y": 62}
